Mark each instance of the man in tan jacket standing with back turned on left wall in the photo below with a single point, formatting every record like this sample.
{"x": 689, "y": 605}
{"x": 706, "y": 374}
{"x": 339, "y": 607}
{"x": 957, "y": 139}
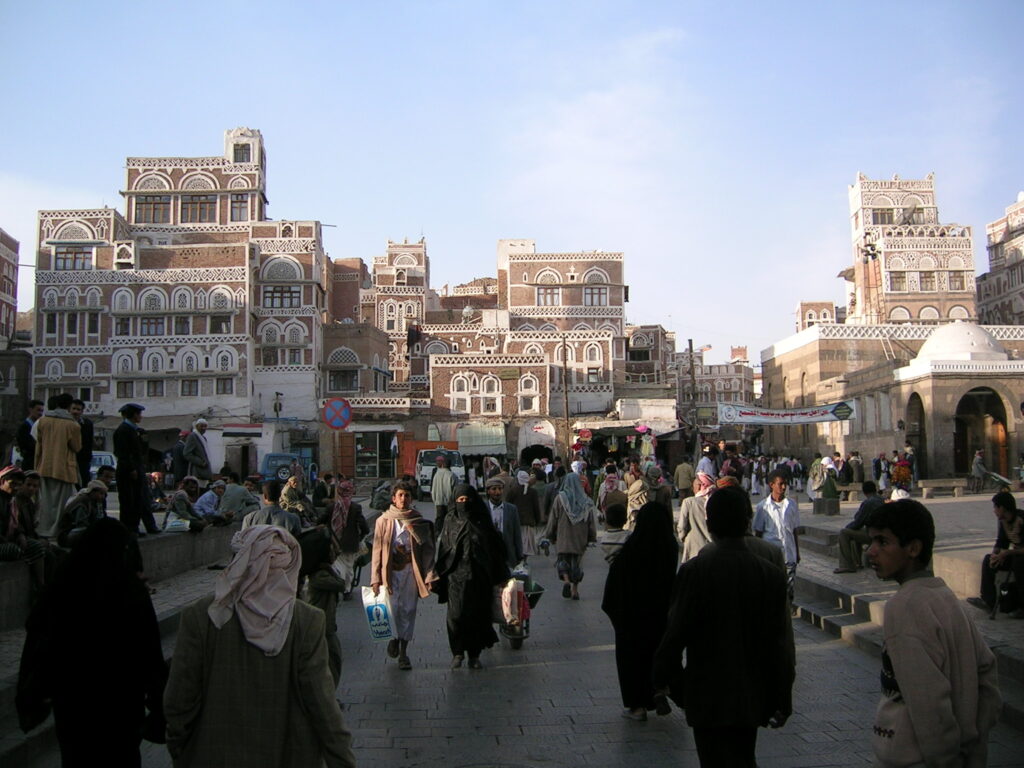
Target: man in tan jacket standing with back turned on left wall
{"x": 59, "y": 439}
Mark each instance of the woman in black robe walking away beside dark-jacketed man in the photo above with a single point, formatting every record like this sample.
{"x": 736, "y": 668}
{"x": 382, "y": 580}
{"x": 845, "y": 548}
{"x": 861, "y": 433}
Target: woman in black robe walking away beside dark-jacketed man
{"x": 637, "y": 594}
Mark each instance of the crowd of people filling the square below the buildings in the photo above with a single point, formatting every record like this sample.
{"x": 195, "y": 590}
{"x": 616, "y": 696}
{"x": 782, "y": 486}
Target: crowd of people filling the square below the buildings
{"x": 700, "y": 602}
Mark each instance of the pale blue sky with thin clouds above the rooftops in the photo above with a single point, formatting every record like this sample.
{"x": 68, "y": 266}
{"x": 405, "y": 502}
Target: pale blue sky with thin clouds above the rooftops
{"x": 712, "y": 143}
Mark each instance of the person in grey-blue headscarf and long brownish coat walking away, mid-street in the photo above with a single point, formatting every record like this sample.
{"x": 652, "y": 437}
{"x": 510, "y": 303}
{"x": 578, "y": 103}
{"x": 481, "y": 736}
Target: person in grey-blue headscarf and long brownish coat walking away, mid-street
{"x": 572, "y": 527}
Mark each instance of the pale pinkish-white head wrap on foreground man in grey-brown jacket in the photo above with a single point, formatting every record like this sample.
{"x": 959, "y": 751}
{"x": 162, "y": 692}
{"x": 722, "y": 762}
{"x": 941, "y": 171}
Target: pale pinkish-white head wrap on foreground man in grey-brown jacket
{"x": 260, "y": 587}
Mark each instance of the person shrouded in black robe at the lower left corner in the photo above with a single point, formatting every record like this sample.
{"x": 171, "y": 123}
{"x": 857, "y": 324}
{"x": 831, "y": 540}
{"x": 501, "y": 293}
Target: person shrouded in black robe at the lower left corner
{"x": 93, "y": 654}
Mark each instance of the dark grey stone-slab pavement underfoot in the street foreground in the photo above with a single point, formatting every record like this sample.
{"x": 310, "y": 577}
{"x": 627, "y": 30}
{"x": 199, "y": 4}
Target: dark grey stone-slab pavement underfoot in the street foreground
{"x": 556, "y": 703}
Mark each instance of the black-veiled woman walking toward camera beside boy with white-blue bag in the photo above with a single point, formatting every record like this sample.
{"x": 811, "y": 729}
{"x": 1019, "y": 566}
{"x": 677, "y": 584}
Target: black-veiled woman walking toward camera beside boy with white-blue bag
{"x": 471, "y": 564}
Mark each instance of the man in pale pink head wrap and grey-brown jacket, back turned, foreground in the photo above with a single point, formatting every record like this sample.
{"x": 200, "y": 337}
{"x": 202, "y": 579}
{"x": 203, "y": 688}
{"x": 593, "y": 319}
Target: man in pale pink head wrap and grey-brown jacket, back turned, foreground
{"x": 253, "y": 635}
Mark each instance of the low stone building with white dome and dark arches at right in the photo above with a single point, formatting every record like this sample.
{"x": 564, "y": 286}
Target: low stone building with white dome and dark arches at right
{"x": 948, "y": 391}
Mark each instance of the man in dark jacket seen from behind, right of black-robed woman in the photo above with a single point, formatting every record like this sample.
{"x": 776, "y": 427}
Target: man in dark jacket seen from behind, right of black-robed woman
{"x": 729, "y": 602}
